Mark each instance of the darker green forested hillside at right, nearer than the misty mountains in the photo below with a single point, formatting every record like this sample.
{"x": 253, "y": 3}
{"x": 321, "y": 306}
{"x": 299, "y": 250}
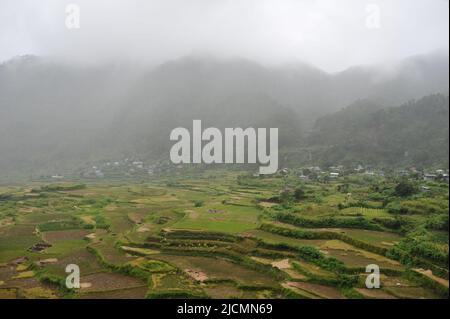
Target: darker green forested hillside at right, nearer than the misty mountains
{"x": 415, "y": 133}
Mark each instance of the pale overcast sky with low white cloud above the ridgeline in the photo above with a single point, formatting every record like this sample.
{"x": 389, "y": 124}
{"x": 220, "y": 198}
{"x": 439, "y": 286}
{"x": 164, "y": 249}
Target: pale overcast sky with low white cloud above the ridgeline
{"x": 331, "y": 34}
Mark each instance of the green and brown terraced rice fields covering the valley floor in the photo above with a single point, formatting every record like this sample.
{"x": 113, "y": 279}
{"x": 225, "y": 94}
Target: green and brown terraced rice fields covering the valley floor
{"x": 222, "y": 234}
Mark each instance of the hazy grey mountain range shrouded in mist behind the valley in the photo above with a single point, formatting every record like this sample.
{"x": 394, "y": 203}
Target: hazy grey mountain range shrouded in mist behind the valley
{"x": 55, "y": 116}
